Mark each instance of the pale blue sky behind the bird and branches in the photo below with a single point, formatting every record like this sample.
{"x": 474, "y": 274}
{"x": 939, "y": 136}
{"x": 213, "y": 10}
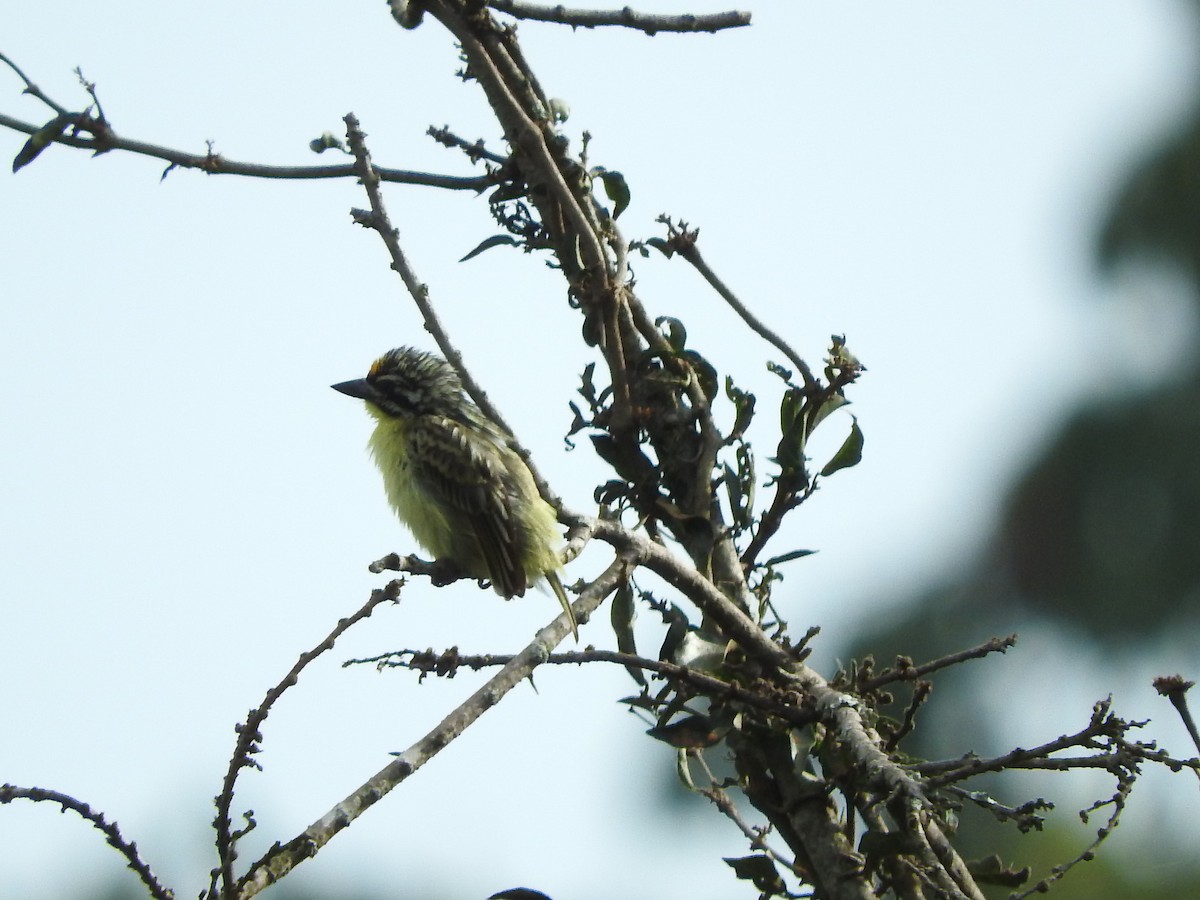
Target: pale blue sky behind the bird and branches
{"x": 185, "y": 506}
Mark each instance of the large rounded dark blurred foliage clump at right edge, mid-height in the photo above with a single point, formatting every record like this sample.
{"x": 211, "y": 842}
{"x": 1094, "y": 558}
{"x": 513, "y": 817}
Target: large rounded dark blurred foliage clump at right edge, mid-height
{"x": 1105, "y": 530}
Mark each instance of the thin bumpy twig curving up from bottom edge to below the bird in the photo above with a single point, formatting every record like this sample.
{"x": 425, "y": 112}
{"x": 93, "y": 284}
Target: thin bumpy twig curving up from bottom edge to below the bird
{"x": 250, "y": 737}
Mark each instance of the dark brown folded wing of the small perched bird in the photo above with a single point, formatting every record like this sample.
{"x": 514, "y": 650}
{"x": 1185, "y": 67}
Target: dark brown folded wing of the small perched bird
{"x": 461, "y": 470}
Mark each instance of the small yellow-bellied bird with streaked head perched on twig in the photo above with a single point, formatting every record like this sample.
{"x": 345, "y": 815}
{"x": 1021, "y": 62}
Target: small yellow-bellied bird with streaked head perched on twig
{"x": 454, "y": 481}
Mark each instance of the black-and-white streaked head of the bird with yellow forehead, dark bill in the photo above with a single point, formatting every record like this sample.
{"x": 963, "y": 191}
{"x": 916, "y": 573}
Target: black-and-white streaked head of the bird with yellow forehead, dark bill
{"x": 407, "y": 382}
